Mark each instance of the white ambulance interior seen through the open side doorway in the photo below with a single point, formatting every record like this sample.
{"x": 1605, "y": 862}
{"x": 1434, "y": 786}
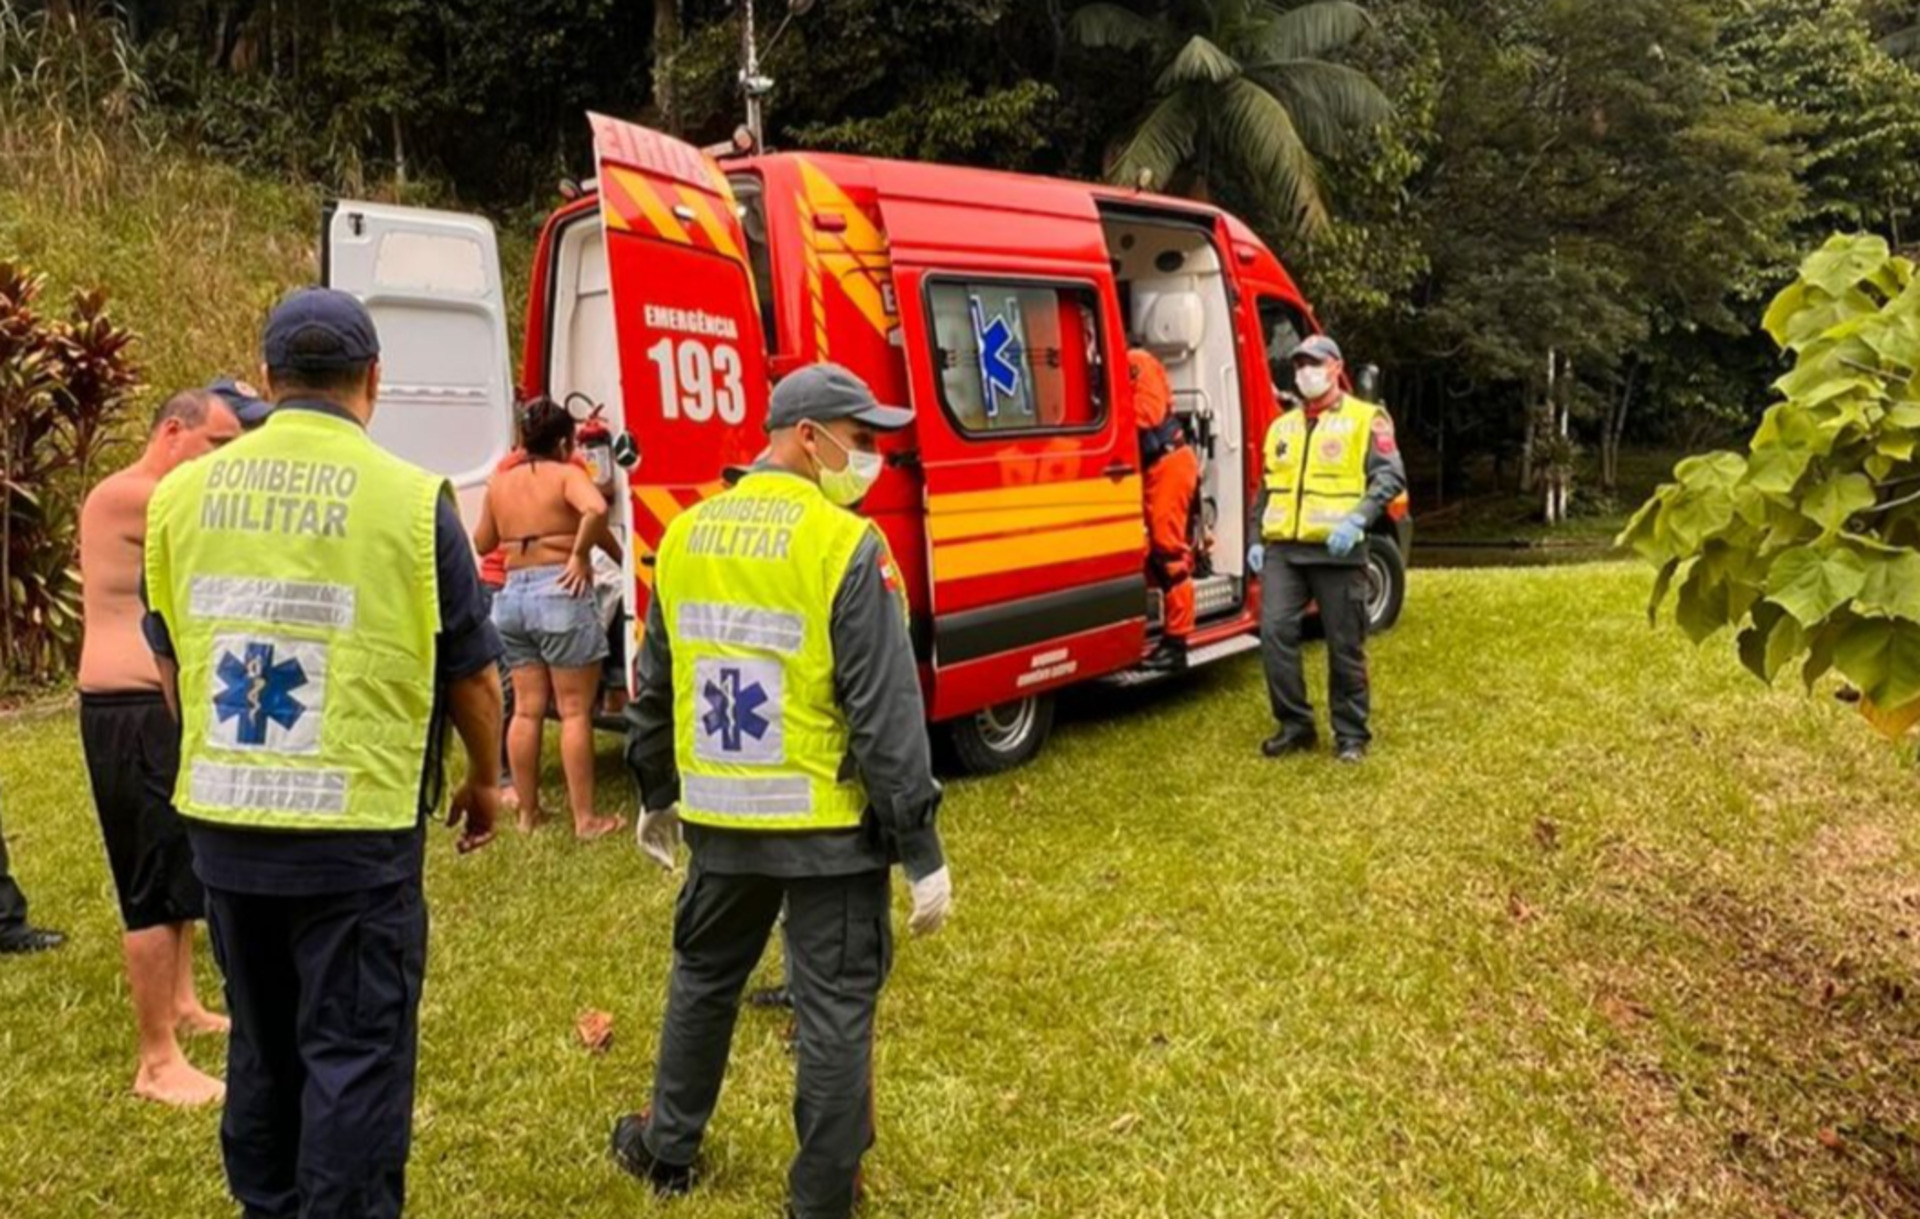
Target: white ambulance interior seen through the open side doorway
{"x": 1174, "y": 297}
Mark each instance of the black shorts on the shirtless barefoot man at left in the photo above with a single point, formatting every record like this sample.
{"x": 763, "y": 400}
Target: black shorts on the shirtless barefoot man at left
{"x": 133, "y": 755}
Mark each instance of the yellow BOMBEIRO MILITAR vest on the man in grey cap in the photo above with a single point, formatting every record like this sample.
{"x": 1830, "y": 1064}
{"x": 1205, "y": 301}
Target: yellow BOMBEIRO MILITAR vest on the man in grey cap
{"x": 746, "y": 585}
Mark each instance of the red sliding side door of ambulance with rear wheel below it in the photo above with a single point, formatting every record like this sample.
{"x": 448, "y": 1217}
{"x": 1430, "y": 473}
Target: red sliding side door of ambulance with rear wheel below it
{"x": 1017, "y": 366}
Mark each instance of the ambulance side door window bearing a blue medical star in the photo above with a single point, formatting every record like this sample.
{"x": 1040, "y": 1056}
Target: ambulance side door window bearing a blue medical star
{"x": 1019, "y": 356}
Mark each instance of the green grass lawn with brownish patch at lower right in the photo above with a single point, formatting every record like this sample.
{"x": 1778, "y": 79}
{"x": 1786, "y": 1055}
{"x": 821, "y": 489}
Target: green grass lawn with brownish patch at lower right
{"x": 1602, "y": 930}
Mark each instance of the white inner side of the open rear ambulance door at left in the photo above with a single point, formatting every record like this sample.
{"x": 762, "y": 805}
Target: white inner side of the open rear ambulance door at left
{"x": 431, "y": 281}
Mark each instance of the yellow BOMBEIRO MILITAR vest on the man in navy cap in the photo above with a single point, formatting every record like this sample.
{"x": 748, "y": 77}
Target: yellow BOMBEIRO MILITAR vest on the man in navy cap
{"x": 295, "y": 571}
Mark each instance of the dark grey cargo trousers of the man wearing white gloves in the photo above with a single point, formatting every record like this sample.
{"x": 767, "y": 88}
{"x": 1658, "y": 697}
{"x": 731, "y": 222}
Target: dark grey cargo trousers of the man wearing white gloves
{"x": 840, "y": 945}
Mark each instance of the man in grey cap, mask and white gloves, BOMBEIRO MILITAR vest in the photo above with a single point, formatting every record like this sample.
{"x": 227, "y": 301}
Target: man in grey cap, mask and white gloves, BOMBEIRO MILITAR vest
{"x": 780, "y": 725}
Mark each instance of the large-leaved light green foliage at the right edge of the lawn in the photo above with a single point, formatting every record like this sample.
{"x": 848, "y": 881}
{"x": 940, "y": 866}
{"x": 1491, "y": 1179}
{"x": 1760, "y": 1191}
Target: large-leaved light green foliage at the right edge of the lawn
{"x": 1808, "y": 544}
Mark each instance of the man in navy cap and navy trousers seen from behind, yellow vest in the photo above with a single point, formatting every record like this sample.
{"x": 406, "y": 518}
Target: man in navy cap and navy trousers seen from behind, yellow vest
{"x": 318, "y": 619}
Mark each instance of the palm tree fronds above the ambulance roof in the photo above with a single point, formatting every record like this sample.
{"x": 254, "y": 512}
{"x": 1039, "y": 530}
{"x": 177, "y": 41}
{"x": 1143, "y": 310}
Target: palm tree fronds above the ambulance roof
{"x": 1245, "y": 85}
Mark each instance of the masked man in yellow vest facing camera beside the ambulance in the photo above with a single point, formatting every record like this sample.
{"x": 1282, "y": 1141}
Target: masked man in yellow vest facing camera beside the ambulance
{"x": 1330, "y": 471}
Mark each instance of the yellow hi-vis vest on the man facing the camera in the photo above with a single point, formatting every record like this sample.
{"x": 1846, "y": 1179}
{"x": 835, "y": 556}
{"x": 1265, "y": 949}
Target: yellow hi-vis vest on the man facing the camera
{"x": 1316, "y": 477}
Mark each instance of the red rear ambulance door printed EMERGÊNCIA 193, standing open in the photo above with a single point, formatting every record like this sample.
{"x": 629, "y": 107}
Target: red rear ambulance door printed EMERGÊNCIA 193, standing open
{"x": 692, "y": 354}
